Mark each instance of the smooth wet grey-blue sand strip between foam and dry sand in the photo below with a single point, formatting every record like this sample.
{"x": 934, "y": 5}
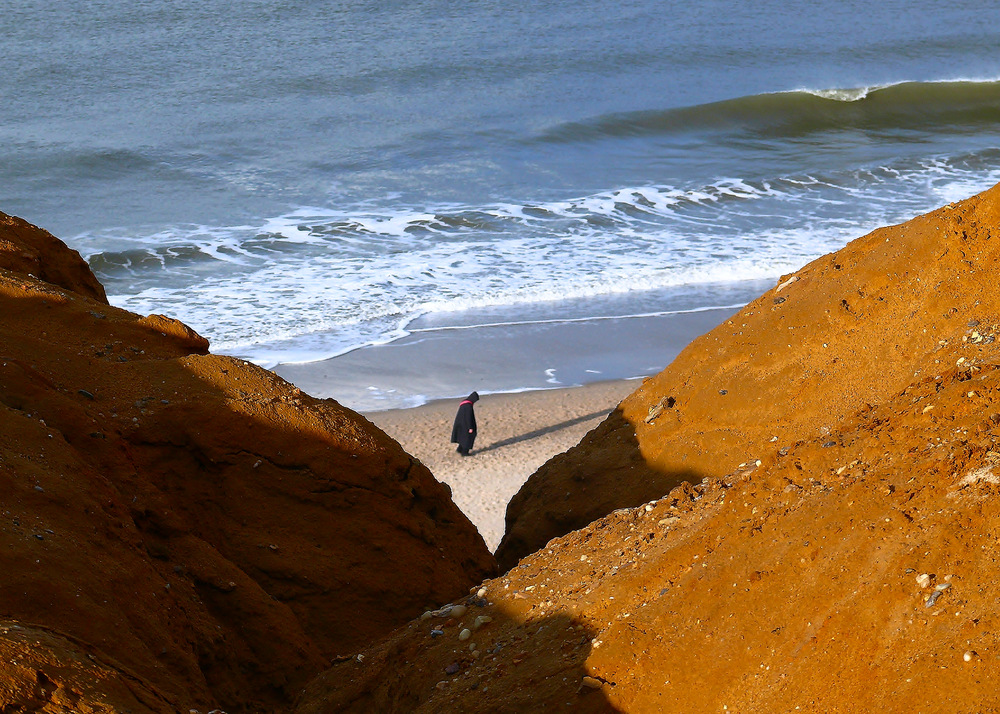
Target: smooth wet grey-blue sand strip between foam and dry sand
{"x": 439, "y": 362}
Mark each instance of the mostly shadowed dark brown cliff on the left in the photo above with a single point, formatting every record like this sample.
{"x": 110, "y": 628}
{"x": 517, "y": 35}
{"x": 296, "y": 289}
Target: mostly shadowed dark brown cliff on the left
{"x": 181, "y": 530}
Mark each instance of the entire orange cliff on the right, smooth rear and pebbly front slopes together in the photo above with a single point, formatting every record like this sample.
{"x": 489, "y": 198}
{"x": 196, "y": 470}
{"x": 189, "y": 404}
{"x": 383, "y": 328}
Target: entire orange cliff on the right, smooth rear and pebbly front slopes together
{"x": 837, "y": 555}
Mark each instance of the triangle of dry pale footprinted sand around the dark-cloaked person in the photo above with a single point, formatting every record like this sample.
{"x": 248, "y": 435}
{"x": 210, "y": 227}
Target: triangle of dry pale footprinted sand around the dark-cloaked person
{"x": 517, "y": 434}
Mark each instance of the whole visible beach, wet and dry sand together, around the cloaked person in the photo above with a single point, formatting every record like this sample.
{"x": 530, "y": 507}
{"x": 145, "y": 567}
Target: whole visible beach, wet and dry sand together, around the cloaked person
{"x": 543, "y": 384}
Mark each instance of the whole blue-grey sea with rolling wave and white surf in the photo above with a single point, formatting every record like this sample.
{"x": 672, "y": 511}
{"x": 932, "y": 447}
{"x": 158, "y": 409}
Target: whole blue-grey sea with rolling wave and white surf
{"x": 298, "y": 179}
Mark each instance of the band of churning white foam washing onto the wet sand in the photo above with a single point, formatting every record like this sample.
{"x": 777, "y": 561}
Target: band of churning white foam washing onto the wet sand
{"x": 315, "y": 282}
